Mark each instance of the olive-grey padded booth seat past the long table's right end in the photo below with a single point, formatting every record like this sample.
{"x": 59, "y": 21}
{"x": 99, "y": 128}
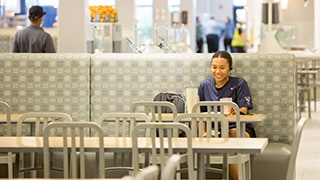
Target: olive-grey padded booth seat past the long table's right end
{"x": 275, "y": 158}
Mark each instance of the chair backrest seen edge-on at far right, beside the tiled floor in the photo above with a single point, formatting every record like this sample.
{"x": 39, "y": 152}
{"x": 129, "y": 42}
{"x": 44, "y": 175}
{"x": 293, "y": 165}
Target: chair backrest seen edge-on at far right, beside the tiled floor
{"x": 295, "y": 148}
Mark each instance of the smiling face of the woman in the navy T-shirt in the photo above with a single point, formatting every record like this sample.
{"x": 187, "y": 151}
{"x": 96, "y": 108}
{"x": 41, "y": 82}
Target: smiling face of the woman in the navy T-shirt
{"x": 220, "y": 69}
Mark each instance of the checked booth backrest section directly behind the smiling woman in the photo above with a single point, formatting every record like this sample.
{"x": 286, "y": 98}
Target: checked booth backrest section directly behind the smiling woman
{"x": 118, "y": 80}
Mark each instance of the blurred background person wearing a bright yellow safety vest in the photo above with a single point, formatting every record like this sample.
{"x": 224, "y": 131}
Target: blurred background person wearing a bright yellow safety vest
{"x": 239, "y": 40}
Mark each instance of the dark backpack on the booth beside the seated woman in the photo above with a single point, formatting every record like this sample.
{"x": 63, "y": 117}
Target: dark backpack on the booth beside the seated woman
{"x": 177, "y": 99}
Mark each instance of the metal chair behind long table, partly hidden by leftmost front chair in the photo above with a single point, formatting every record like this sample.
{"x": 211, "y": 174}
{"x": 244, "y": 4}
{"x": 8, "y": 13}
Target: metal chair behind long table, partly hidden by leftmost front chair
{"x": 31, "y": 124}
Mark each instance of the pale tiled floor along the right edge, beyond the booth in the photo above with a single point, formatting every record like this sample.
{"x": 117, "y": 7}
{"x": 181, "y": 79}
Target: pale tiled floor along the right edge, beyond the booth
{"x": 308, "y": 159}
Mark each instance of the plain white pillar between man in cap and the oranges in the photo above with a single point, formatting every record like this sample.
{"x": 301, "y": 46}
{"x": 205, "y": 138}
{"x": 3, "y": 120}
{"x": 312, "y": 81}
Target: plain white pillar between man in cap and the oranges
{"x": 73, "y": 26}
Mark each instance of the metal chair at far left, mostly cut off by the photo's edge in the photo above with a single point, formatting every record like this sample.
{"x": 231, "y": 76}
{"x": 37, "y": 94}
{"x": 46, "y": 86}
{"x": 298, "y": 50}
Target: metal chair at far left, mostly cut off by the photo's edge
{"x": 7, "y": 158}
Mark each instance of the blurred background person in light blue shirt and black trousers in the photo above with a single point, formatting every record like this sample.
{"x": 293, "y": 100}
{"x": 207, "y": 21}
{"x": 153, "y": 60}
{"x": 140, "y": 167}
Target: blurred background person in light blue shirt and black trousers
{"x": 213, "y": 33}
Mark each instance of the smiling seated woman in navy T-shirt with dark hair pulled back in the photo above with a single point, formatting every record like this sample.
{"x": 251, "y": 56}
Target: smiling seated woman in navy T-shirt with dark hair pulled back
{"x": 222, "y": 85}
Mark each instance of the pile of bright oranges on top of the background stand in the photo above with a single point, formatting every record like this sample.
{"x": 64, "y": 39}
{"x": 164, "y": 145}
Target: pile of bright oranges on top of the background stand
{"x": 103, "y": 14}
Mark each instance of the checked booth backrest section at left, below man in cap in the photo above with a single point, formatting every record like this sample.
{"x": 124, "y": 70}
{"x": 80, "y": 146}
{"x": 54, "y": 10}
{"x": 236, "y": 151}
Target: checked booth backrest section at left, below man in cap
{"x": 46, "y": 82}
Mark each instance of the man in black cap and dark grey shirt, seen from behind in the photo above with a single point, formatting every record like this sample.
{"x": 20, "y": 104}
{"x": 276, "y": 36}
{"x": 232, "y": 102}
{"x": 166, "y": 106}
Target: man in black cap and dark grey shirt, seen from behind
{"x": 33, "y": 39}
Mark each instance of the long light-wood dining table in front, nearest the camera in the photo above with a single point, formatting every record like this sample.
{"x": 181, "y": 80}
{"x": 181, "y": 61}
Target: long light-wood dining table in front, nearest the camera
{"x": 200, "y": 146}
